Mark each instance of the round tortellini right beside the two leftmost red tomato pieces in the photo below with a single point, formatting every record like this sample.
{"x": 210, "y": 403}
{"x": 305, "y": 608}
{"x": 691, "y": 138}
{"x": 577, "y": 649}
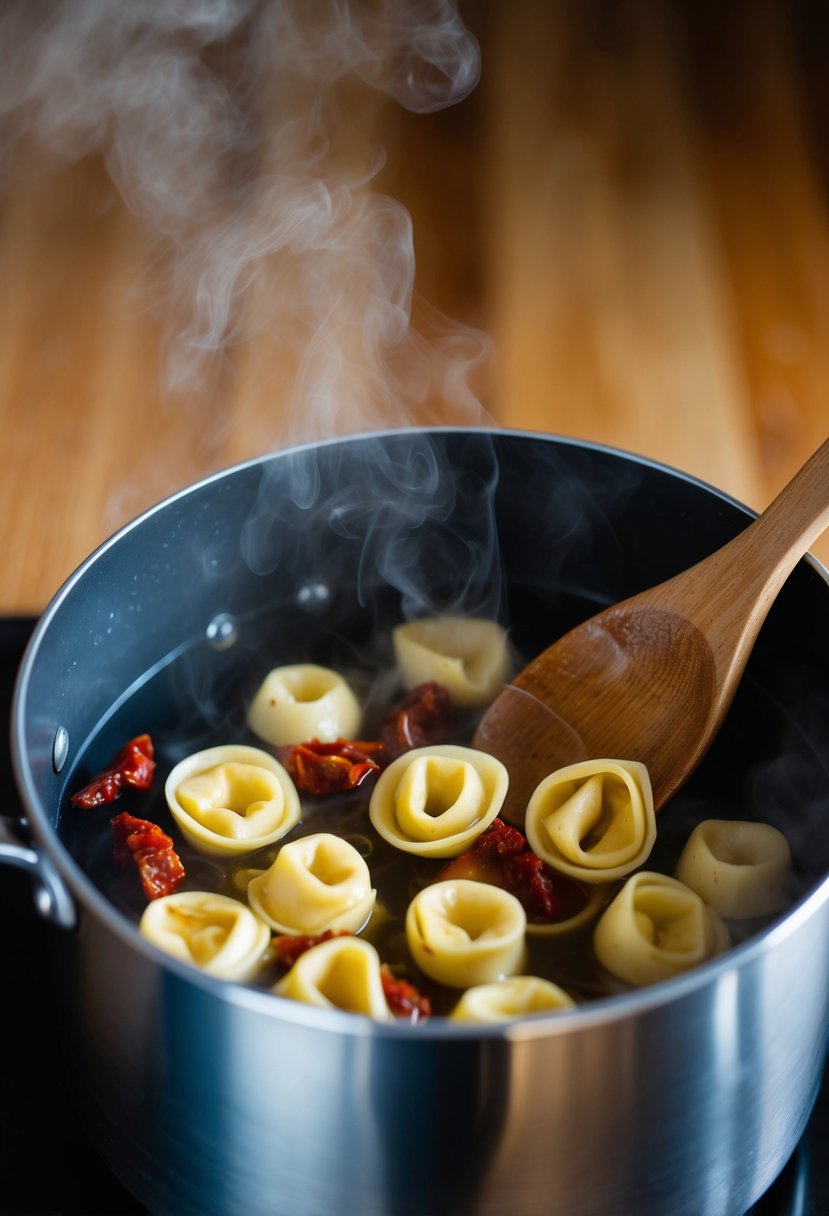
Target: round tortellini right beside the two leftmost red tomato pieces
{"x": 232, "y": 800}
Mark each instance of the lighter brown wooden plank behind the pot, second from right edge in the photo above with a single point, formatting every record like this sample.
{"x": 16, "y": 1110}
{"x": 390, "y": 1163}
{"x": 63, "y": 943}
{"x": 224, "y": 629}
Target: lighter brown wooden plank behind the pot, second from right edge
{"x": 608, "y": 303}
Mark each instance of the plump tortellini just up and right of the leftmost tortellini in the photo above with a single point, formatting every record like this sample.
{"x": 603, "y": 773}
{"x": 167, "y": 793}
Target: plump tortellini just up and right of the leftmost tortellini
{"x": 317, "y": 883}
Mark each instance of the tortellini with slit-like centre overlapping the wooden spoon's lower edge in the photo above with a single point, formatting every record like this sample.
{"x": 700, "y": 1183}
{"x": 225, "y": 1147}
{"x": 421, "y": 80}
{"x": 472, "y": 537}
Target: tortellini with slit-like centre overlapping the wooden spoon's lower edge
{"x": 594, "y": 820}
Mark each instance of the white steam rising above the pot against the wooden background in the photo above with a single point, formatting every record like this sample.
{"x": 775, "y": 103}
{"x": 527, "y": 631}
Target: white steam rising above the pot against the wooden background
{"x": 239, "y": 132}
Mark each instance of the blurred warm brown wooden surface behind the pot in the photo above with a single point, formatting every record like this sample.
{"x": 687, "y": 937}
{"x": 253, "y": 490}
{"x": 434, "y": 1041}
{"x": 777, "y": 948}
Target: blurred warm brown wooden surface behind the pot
{"x": 634, "y": 206}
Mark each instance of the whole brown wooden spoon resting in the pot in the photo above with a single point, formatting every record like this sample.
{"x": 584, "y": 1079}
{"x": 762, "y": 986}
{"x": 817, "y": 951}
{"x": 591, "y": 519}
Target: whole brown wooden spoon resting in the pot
{"x": 652, "y": 678}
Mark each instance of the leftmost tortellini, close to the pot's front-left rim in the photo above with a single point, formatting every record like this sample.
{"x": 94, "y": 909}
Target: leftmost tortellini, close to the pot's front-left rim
{"x": 213, "y": 932}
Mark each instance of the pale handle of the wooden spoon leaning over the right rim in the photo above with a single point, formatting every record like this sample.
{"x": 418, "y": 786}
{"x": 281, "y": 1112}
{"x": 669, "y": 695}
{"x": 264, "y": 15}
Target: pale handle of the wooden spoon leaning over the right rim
{"x": 729, "y": 594}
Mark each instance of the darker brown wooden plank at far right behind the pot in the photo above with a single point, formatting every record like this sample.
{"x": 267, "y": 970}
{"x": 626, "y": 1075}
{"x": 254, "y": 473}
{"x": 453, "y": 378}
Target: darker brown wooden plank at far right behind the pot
{"x": 763, "y": 162}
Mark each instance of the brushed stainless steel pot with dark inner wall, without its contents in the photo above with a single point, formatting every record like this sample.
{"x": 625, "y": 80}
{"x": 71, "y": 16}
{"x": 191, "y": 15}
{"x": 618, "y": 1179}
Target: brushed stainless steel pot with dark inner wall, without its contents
{"x": 211, "y": 1099}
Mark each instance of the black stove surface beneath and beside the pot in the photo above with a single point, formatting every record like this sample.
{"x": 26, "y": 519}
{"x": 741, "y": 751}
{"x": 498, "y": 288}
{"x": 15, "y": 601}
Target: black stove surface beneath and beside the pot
{"x": 48, "y": 1167}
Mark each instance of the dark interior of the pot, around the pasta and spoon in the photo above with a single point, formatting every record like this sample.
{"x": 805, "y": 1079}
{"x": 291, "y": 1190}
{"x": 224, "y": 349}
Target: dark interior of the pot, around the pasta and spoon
{"x": 314, "y": 556}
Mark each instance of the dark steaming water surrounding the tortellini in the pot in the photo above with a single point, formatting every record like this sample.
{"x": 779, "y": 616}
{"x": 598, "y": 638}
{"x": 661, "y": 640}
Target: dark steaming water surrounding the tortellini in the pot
{"x": 763, "y": 767}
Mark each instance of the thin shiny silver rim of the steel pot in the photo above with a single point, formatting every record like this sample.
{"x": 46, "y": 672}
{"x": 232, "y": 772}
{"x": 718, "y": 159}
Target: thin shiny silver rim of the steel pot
{"x": 595, "y": 1014}
